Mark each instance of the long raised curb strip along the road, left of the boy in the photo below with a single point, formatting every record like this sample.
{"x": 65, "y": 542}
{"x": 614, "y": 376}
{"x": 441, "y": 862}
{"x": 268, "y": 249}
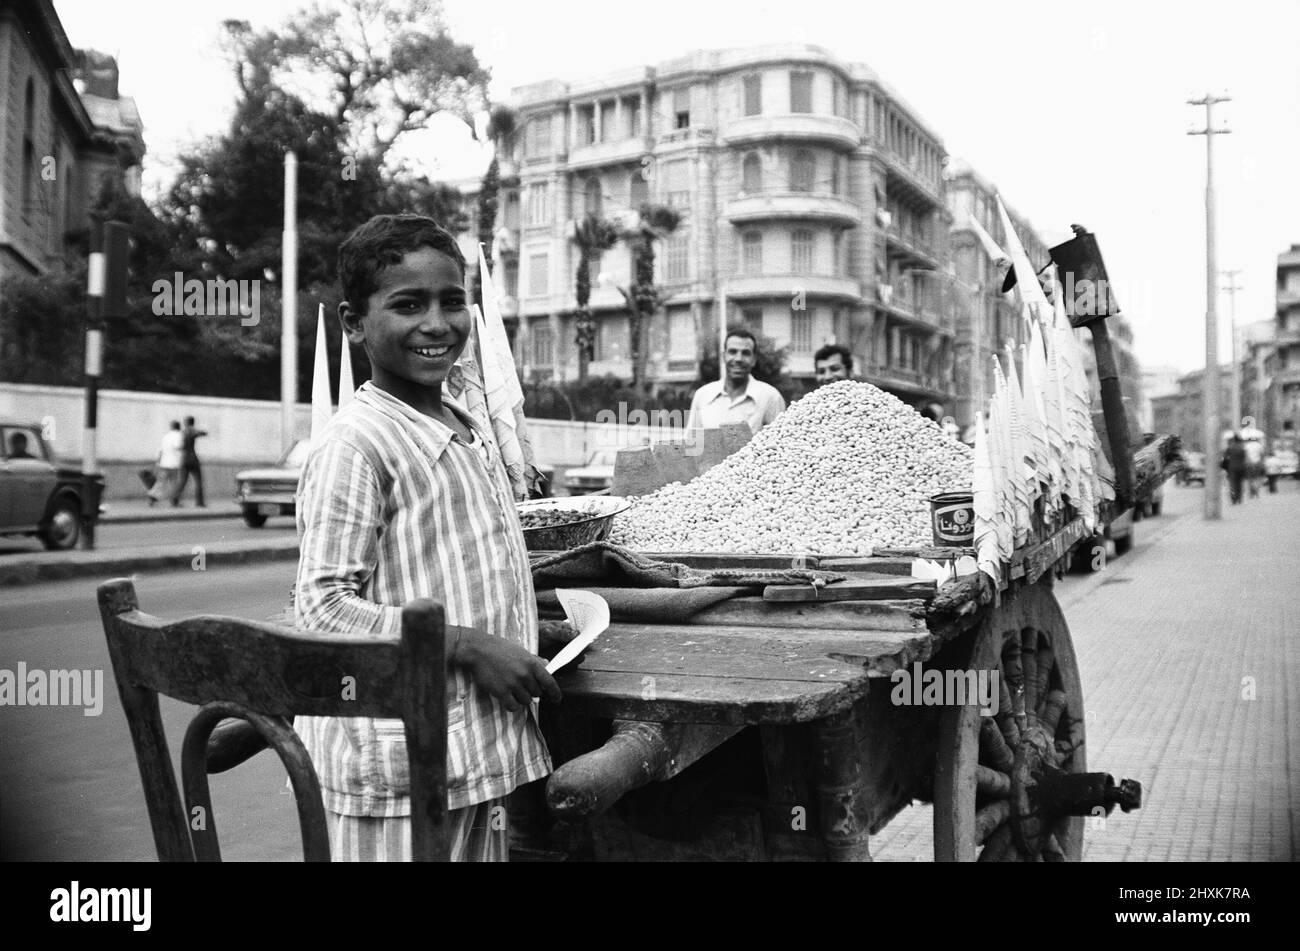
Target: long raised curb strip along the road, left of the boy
{"x": 32, "y": 571}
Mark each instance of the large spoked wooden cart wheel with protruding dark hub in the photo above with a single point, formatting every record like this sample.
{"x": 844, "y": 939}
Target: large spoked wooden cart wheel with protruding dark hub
{"x": 989, "y": 771}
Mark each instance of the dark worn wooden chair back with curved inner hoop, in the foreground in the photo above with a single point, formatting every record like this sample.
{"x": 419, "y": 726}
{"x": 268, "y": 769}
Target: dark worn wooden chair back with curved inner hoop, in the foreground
{"x": 266, "y": 675}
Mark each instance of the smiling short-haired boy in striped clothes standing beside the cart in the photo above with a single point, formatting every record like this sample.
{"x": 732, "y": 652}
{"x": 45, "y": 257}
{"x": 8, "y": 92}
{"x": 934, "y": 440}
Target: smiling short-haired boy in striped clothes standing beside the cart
{"x": 405, "y": 497}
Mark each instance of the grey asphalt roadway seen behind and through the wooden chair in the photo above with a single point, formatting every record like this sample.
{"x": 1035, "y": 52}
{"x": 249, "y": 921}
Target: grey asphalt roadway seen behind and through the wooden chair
{"x": 70, "y": 788}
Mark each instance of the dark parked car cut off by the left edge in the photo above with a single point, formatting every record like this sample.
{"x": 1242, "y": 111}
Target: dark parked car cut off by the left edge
{"x": 40, "y": 497}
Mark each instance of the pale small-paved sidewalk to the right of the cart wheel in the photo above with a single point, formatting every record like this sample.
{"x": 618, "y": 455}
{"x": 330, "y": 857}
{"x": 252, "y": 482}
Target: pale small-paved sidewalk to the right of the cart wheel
{"x": 1172, "y": 640}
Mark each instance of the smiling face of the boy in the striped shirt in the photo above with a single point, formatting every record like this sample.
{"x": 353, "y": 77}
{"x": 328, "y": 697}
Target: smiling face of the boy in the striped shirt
{"x": 415, "y": 325}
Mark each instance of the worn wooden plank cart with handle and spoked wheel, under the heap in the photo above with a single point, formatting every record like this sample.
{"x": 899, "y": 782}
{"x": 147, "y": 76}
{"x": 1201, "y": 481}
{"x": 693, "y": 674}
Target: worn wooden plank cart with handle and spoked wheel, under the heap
{"x": 768, "y": 727}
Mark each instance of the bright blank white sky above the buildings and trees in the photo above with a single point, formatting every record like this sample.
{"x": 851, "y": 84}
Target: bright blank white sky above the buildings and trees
{"x": 1077, "y": 114}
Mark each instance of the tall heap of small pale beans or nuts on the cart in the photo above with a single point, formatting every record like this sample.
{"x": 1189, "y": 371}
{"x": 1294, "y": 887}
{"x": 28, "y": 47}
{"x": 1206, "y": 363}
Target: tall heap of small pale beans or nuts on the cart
{"x": 844, "y": 471}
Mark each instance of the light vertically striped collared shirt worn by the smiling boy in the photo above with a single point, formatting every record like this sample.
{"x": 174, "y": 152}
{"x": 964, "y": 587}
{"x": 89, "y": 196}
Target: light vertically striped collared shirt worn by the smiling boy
{"x": 393, "y": 506}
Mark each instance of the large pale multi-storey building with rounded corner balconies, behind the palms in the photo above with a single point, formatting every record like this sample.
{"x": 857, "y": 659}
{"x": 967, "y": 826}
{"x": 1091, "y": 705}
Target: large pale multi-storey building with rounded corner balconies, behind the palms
{"x": 812, "y": 202}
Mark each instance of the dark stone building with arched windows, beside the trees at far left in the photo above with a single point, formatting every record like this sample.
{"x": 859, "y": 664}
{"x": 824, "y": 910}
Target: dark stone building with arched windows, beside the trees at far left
{"x": 63, "y": 129}
